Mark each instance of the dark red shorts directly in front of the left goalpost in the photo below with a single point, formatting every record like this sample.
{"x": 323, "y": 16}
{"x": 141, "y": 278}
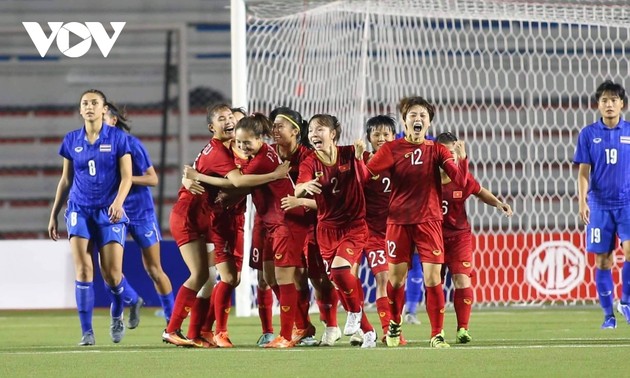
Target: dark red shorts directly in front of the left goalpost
{"x": 226, "y": 233}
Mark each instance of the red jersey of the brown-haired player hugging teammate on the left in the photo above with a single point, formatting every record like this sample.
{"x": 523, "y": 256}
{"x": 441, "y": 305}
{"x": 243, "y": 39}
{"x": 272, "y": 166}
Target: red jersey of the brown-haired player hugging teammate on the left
{"x": 267, "y": 197}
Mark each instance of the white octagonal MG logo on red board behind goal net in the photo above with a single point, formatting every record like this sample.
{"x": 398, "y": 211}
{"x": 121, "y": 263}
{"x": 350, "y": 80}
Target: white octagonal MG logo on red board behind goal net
{"x": 555, "y": 268}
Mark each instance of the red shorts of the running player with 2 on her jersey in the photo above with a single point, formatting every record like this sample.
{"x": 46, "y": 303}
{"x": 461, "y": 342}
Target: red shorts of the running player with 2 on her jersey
{"x": 347, "y": 242}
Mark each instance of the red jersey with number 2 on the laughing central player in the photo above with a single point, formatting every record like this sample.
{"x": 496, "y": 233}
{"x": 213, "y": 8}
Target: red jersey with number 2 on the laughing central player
{"x": 341, "y": 201}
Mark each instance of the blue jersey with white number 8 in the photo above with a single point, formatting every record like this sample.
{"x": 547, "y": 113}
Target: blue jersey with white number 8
{"x": 96, "y": 169}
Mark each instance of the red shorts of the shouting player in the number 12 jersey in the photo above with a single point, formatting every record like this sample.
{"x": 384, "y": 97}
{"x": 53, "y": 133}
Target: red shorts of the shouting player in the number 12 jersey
{"x": 426, "y": 236}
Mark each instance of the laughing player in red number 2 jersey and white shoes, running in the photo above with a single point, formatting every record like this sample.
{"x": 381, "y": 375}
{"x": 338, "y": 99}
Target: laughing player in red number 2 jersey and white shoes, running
{"x": 335, "y": 177}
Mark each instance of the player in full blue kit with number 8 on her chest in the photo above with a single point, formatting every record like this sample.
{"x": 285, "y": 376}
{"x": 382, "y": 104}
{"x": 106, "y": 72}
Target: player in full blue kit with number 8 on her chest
{"x": 96, "y": 179}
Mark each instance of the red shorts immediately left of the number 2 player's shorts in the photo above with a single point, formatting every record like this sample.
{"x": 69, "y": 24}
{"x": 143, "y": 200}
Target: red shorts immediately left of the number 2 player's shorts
{"x": 287, "y": 243}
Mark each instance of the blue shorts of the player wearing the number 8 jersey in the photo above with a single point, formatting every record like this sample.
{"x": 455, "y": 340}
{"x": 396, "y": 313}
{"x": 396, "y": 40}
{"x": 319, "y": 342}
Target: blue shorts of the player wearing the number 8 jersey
{"x": 94, "y": 224}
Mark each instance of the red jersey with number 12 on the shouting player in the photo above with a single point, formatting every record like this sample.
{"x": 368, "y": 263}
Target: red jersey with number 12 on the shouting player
{"x": 415, "y": 178}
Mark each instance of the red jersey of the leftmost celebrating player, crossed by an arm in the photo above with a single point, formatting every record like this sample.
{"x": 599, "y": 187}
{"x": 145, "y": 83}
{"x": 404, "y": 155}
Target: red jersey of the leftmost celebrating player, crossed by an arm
{"x": 214, "y": 160}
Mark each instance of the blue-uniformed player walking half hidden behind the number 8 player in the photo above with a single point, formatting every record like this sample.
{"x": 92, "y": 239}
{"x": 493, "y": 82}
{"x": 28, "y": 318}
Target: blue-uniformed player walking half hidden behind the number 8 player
{"x": 143, "y": 225}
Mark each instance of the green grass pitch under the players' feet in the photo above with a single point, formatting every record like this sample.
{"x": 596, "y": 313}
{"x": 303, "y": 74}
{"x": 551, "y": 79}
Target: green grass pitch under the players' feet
{"x": 555, "y": 342}
